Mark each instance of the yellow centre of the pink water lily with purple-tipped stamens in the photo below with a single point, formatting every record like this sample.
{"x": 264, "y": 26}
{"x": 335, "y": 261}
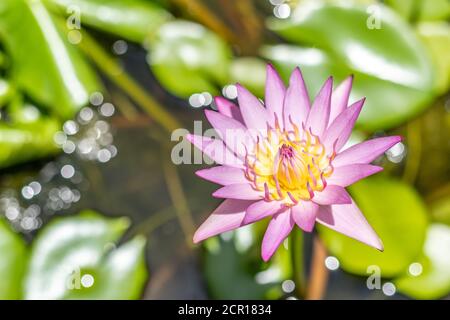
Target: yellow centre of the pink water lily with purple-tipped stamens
{"x": 289, "y": 166}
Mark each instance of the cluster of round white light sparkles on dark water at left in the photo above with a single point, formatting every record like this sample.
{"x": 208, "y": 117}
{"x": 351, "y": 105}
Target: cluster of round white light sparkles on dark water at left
{"x": 58, "y": 184}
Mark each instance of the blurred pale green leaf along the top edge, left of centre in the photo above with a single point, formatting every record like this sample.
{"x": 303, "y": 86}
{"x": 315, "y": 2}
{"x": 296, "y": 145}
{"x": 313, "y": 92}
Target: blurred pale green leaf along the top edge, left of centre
{"x": 133, "y": 20}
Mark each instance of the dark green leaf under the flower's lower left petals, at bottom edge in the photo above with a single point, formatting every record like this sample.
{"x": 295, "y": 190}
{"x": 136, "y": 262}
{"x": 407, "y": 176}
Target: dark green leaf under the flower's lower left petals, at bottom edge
{"x": 233, "y": 267}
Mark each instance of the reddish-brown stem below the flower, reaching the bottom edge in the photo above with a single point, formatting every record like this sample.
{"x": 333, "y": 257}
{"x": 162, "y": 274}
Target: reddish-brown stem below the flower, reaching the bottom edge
{"x": 319, "y": 273}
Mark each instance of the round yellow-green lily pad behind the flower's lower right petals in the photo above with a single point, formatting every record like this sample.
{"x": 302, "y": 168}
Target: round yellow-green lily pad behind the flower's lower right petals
{"x": 397, "y": 214}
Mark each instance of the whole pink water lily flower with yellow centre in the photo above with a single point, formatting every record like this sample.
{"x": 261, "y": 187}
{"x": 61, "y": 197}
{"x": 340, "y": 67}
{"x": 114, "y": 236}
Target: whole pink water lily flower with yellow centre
{"x": 286, "y": 161}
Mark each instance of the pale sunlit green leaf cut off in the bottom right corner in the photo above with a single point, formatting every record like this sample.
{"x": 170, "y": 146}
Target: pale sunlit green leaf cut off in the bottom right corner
{"x": 434, "y": 280}
